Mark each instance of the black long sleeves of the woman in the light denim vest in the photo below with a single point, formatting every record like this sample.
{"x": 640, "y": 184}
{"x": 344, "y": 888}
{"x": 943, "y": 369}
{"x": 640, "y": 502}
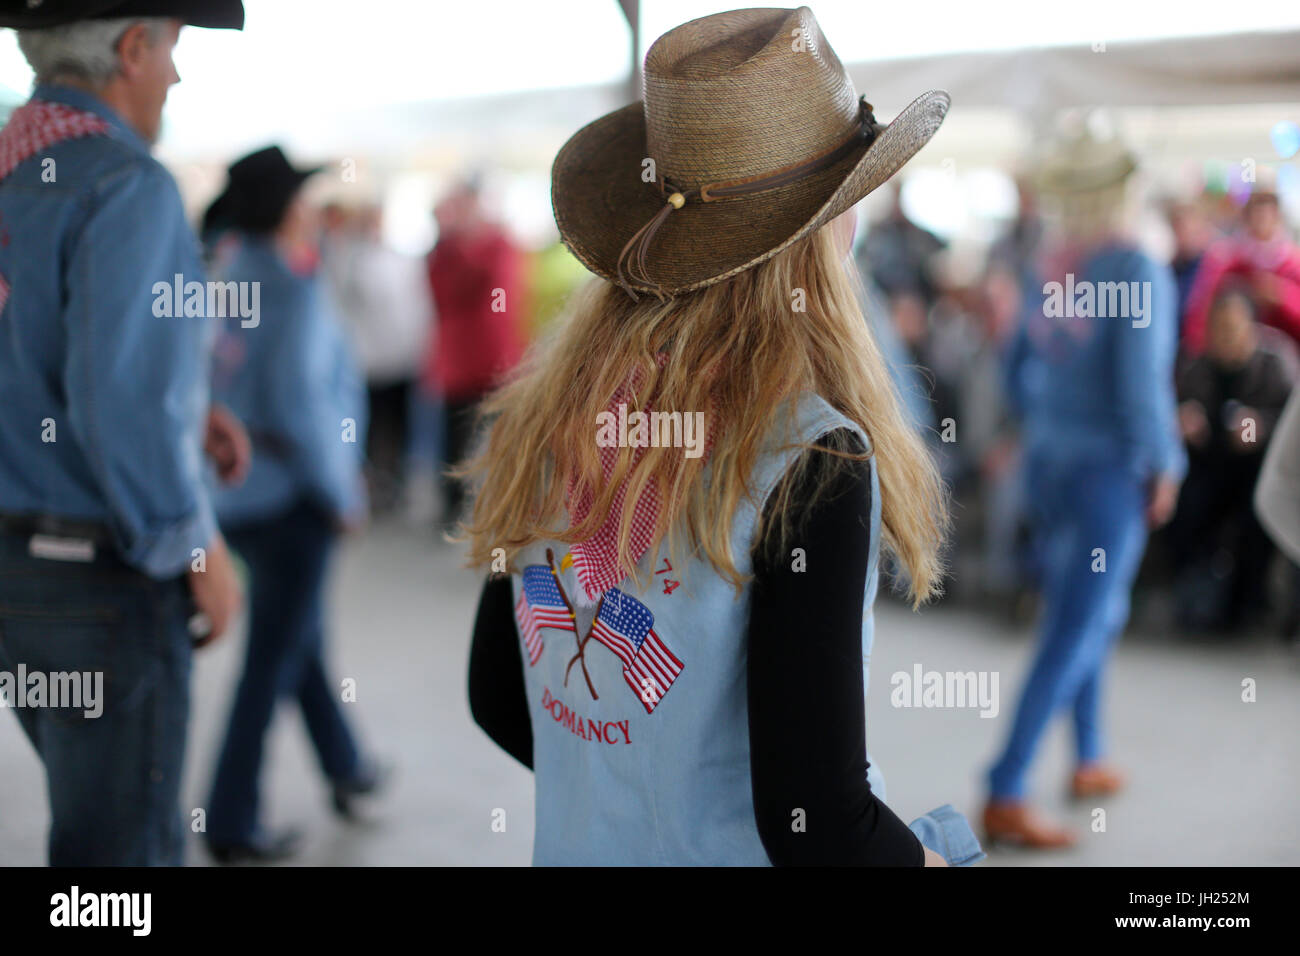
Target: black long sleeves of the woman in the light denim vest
{"x": 805, "y": 695}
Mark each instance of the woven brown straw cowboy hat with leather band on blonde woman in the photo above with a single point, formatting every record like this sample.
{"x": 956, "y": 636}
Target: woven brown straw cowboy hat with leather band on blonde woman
{"x": 751, "y": 137}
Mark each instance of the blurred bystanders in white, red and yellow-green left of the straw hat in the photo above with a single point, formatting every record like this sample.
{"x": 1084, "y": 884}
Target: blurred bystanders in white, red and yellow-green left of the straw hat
{"x": 434, "y": 336}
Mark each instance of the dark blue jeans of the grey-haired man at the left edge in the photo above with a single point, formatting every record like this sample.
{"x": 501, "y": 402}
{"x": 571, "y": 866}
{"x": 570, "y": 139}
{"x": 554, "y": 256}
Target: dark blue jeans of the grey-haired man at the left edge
{"x": 114, "y": 780}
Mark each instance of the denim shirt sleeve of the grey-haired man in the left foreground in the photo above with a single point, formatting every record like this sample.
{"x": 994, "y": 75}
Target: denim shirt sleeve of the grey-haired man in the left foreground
{"x": 137, "y": 383}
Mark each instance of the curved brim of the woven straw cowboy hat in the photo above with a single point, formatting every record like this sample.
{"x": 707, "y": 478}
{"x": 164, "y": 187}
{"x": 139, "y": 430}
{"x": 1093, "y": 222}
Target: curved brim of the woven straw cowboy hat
{"x": 600, "y": 201}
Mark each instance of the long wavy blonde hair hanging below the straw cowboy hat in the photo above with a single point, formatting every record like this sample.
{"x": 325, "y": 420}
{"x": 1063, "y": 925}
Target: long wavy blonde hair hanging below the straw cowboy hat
{"x": 735, "y": 351}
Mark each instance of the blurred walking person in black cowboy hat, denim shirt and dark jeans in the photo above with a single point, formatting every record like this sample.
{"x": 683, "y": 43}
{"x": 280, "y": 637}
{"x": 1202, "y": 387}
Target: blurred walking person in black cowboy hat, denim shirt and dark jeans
{"x": 289, "y": 374}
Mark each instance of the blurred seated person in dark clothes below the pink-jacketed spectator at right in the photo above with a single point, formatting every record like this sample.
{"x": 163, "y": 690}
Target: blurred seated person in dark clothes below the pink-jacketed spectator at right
{"x": 1230, "y": 400}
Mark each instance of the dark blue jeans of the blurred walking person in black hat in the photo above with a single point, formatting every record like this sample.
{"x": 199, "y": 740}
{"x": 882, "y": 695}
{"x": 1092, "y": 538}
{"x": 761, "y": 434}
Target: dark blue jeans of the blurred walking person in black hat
{"x": 288, "y": 557}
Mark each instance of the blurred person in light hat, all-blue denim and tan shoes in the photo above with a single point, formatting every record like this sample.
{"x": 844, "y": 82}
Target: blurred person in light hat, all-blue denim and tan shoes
{"x": 1103, "y": 461}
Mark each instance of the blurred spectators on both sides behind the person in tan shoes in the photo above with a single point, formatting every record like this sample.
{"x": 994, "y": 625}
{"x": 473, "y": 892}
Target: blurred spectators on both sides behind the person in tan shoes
{"x": 1237, "y": 272}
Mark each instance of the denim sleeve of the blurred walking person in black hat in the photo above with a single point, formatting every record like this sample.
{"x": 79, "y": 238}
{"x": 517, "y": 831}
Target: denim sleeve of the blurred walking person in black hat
{"x": 315, "y": 388}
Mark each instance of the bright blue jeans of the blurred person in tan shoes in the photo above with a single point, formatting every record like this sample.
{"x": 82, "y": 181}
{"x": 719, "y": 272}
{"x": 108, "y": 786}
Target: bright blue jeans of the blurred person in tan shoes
{"x": 1081, "y": 507}
